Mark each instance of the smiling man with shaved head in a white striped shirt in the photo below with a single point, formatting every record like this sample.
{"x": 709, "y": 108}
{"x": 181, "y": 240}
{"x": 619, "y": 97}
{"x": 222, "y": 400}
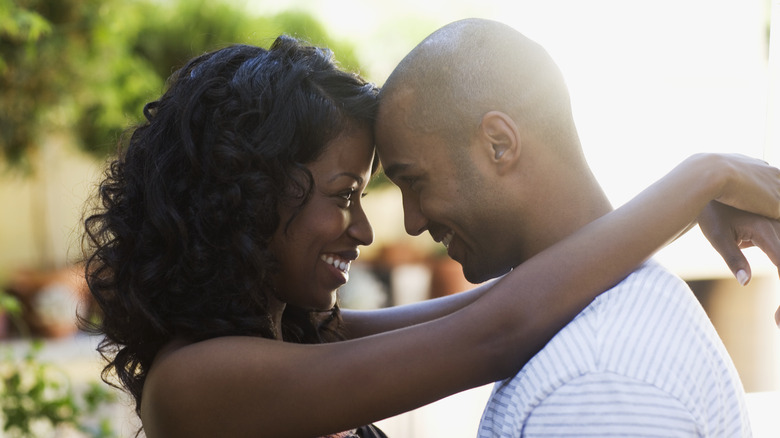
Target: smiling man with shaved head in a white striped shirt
{"x": 475, "y": 127}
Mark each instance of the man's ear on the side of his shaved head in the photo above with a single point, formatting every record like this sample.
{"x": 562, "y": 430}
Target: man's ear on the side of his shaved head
{"x": 500, "y": 132}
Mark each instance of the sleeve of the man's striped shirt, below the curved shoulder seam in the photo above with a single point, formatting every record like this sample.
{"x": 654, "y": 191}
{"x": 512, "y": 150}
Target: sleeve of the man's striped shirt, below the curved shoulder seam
{"x": 609, "y": 405}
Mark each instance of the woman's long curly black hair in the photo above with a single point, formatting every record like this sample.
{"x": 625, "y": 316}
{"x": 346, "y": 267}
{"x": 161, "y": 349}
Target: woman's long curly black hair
{"x": 178, "y": 244}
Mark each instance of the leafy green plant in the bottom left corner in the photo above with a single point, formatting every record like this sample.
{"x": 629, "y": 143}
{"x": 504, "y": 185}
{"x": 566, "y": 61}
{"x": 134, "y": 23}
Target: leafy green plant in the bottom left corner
{"x": 38, "y": 398}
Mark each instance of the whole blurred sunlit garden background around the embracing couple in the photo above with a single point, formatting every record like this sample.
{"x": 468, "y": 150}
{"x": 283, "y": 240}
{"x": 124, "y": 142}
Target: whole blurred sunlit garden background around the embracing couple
{"x": 651, "y": 83}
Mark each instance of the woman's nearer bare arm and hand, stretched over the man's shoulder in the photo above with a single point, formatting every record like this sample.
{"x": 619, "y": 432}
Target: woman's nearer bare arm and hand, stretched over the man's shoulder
{"x": 241, "y": 386}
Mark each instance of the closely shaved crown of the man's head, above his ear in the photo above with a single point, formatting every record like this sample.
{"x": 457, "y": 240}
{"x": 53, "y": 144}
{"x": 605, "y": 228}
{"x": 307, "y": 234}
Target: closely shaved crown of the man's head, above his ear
{"x": 473, "y": 66}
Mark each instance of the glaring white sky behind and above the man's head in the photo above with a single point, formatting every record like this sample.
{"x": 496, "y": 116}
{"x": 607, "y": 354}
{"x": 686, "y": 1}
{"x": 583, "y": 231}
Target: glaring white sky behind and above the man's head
{"x": 652, "y": 82}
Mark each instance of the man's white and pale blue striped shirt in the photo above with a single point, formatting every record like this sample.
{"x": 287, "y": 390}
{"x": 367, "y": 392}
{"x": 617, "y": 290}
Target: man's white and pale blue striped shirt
{"x": 642, "y": 360}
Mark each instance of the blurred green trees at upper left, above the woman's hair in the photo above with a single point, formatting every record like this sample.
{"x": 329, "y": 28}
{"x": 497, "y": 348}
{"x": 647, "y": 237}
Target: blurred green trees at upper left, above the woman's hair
{"x": 88, "y": 66}
